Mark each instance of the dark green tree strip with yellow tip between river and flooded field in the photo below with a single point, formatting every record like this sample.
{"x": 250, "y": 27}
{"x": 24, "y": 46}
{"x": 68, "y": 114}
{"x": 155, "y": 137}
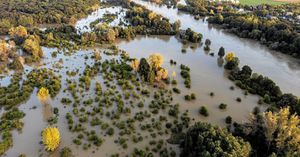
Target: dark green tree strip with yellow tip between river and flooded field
{"x": 260, "y": 85}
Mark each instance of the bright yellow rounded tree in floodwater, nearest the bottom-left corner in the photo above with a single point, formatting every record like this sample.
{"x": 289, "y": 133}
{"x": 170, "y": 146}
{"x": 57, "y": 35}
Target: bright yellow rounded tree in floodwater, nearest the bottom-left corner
{"x": 51, "y": 138}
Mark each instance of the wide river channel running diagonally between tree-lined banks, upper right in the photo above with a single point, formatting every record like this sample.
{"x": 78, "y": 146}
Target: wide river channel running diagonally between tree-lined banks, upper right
{"x": 282, "y": 69}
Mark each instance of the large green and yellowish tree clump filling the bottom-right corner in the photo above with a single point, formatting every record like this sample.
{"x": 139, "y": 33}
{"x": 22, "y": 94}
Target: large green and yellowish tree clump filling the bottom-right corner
{"x": 267, "y": 134}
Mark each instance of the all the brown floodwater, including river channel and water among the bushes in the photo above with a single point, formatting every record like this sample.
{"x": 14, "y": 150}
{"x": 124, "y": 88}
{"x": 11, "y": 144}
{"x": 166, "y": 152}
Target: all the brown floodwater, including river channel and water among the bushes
{"x": 207, "y": 76}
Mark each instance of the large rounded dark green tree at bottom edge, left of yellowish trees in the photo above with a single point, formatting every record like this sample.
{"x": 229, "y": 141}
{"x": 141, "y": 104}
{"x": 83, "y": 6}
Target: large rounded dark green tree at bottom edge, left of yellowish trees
{"x": 203, "y": 139}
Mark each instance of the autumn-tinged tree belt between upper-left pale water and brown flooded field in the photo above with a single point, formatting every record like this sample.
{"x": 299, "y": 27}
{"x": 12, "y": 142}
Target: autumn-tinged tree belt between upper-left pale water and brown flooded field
{"x": 141, "y": 21}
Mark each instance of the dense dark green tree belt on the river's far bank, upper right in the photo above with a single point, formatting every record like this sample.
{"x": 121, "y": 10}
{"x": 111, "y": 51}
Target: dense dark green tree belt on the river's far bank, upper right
{"x": 276, "y": 34}
